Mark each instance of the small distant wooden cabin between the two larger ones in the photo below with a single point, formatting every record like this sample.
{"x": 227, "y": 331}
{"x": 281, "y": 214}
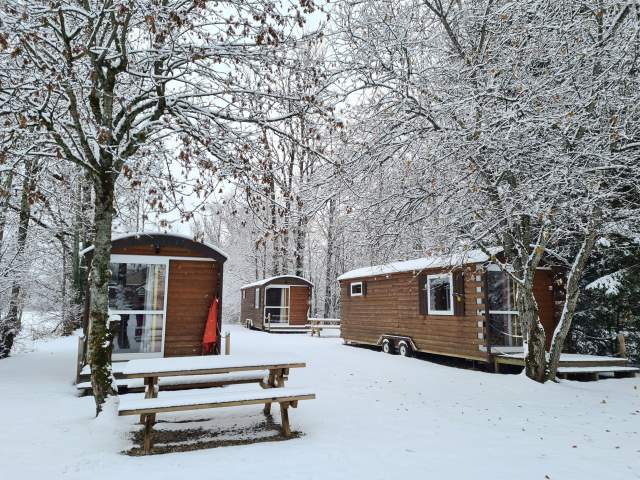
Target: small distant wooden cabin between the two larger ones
{"x": 278, "y": 303}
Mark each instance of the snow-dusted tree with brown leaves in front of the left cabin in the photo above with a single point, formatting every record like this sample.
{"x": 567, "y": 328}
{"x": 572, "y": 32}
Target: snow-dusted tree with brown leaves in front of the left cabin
{"x": 105, "y": 80}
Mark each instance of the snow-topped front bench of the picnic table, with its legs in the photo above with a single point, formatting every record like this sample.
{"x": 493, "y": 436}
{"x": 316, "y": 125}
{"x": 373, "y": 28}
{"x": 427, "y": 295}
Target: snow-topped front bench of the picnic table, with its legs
{"x": 149, "y": 407}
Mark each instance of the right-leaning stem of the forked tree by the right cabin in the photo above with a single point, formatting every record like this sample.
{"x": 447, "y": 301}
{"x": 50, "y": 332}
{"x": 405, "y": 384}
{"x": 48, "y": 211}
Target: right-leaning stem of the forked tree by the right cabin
{"x": 570, "y": 302}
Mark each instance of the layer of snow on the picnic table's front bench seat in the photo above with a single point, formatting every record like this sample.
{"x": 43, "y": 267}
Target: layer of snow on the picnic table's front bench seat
{"x": 209, "y": 395}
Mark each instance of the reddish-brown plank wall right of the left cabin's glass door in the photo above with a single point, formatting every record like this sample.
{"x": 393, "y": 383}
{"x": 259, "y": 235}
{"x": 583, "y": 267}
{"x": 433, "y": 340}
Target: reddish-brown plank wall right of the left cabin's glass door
{"x": 192, "y": 287}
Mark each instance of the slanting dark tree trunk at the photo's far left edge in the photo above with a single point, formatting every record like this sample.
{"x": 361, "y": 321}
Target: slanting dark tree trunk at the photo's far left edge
{"x": 11, "y": 324}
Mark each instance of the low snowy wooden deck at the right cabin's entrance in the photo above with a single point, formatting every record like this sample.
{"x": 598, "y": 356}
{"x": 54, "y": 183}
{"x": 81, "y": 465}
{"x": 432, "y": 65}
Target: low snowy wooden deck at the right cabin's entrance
{"x": 581, "y": 367}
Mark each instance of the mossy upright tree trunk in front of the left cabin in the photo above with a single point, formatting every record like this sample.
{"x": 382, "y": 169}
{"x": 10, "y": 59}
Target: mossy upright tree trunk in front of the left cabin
{"x": 100, "y": 338}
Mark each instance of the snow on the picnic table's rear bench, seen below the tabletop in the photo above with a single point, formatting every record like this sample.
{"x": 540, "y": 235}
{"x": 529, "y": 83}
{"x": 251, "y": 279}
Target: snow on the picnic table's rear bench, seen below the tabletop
{"x": 187, "y": 382}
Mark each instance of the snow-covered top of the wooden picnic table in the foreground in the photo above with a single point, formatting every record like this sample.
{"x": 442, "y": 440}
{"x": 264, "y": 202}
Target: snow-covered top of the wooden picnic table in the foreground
{"x": 205, "y": 365}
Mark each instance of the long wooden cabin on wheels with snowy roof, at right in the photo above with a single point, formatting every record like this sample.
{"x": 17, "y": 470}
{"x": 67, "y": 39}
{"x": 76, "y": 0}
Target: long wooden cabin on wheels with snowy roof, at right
{"x": 455, "y": 305}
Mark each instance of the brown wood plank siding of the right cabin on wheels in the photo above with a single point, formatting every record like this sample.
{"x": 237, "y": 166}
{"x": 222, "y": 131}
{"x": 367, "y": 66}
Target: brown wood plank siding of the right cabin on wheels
{"x": 391, "y": 306}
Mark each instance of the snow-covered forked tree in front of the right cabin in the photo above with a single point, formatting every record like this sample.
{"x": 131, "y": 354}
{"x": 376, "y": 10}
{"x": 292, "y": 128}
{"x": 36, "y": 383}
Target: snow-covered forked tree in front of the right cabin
{"x": 500, "y": 124}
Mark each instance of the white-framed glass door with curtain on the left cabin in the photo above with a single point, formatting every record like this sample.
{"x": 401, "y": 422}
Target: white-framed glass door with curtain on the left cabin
{"x": 137, "y": 295}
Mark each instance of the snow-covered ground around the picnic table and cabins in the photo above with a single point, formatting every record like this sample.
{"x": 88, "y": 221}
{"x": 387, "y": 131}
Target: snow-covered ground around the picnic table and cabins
{"x": 375, "y": 417}
